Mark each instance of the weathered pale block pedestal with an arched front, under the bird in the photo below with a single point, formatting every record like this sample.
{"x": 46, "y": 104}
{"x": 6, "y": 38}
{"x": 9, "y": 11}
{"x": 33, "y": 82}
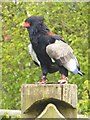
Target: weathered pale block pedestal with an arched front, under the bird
{"x": 49, "y": 100}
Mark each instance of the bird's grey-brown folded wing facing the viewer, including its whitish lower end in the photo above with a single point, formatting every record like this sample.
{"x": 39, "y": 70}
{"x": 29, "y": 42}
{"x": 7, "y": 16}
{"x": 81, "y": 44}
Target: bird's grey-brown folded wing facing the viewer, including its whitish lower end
{"x": 62, "y": 52}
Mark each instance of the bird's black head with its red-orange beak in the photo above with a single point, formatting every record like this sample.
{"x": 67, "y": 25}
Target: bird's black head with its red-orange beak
{"x": 32, "y": 21}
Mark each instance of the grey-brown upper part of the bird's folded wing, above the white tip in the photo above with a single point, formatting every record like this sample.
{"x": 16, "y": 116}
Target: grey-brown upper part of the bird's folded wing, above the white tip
{"x": 60, "y": 50}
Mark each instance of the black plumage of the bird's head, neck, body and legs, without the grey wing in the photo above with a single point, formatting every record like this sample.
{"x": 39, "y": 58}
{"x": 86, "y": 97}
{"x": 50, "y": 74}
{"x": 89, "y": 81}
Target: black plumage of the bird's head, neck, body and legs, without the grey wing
{"x": 41, "y": 37}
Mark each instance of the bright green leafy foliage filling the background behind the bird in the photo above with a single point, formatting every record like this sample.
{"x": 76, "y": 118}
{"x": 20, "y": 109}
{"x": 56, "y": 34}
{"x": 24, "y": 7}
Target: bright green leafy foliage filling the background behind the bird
{"x": 69, "y": 20}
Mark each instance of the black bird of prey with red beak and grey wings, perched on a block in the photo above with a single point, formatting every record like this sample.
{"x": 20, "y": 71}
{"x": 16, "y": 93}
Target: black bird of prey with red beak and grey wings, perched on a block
{"x": 50, "y": 51}
